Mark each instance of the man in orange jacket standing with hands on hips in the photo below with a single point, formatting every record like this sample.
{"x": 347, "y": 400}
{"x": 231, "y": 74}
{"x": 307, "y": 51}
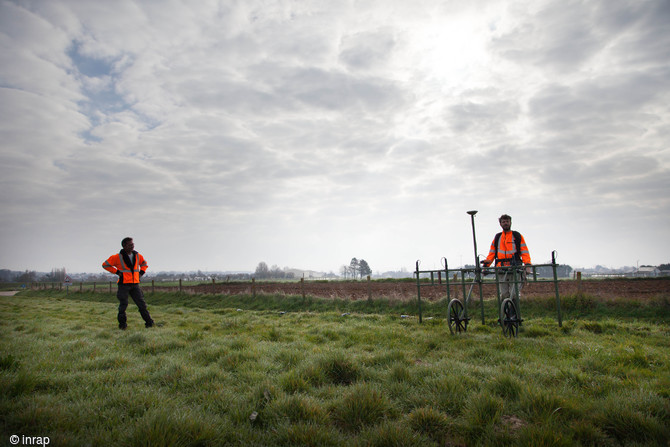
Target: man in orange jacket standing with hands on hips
{"x": 129, "y": 265}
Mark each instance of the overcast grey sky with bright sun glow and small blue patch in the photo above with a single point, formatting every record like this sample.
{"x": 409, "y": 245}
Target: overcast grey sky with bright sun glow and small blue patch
{"x": 301, "y": 133}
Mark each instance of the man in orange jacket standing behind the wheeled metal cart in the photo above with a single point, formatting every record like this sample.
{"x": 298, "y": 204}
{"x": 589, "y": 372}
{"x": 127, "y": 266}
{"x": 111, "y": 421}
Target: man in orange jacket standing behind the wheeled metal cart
{"x": 508, "y": 249}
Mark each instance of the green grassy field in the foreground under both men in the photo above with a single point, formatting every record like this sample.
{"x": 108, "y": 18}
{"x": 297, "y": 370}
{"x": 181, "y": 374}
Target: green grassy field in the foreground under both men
{"x": 280, "y": 370}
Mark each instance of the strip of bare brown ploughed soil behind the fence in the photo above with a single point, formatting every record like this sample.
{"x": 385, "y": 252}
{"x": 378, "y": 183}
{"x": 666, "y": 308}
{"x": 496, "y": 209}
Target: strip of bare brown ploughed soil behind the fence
{"x": 637, "y": 289}
